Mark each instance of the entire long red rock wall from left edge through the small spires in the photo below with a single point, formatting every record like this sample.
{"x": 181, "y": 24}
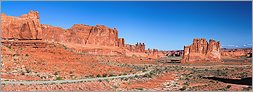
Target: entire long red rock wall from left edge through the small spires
{"x": 28, "y": 27}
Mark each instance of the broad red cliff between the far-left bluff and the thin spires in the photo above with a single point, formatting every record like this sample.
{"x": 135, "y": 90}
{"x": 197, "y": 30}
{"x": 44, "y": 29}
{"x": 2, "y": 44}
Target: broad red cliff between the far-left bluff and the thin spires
{"x": 83, "y": 34}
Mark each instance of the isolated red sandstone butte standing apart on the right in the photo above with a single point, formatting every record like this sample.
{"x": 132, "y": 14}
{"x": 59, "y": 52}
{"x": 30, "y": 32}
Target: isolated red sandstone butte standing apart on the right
{"x": 201, "y": 51}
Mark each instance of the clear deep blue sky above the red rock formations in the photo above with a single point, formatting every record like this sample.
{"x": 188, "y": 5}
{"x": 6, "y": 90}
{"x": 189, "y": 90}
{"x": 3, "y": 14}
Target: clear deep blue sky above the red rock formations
{"x": 161, "y": 25}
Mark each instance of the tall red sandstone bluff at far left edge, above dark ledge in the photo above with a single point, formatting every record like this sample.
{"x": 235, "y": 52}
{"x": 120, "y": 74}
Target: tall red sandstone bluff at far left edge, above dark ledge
{"x": 26, "y": 26}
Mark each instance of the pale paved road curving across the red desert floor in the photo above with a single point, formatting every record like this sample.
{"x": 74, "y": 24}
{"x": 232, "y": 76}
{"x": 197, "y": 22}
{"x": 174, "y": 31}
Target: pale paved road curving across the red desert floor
{"x": 72, "y": 81}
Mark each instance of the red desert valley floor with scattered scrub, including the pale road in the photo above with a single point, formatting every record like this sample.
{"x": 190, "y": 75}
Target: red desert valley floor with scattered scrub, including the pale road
{"x": 22, "y": 65}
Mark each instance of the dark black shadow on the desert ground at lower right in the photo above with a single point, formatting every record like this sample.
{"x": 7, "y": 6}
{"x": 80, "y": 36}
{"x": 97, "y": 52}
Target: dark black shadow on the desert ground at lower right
{"x": 243, "y": 81}
